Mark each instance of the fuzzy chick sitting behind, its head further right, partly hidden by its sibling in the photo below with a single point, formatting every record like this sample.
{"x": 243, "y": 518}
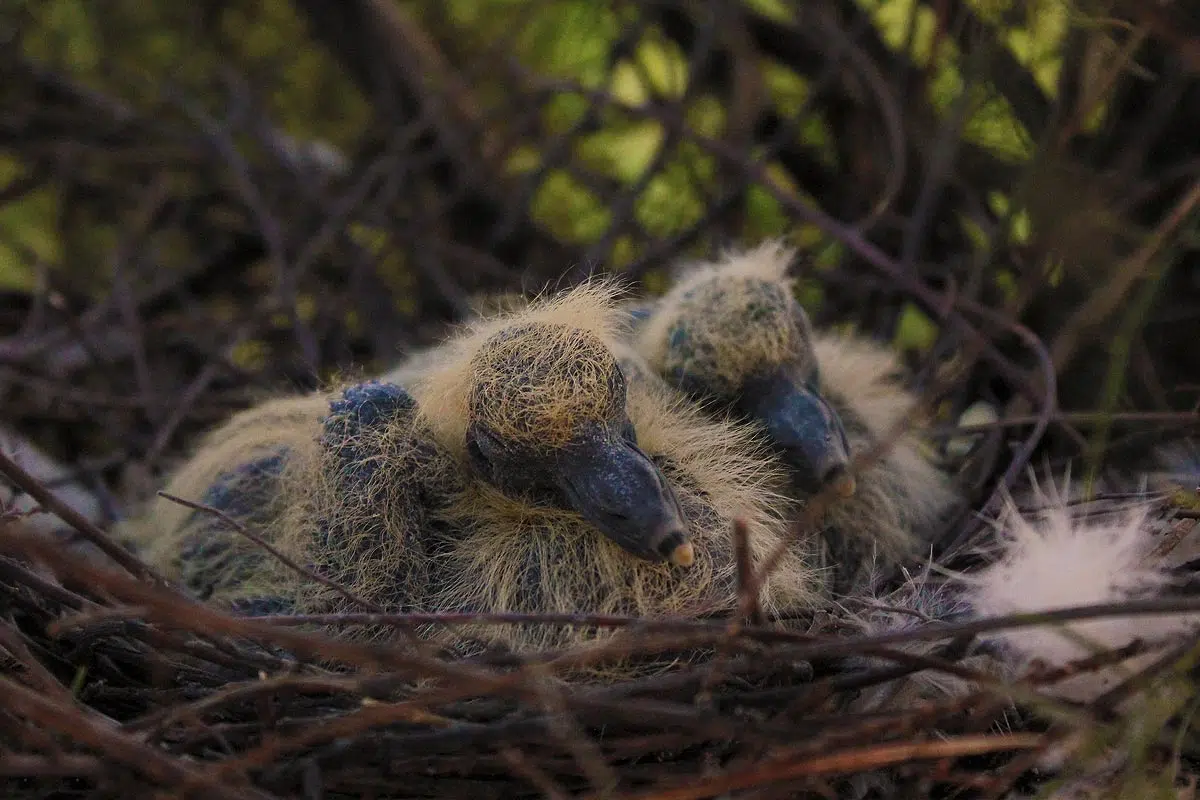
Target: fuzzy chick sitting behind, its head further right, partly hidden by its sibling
{"x": 731, "y": 333}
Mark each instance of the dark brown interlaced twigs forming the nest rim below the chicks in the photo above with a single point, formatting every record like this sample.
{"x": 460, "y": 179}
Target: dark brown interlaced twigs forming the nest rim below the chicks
{"x": 250, "y": 709}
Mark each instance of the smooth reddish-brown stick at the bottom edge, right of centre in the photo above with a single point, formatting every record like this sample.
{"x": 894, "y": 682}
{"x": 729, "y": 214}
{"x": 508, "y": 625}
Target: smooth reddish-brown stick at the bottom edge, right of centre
{"x": 849, "y": 761}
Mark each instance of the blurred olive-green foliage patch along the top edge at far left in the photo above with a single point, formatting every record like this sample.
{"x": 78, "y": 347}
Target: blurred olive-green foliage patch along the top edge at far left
{"x": 136, "y": 51}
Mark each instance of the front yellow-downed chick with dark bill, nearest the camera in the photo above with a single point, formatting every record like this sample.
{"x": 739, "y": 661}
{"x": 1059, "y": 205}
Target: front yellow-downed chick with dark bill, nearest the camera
{"x": 445, "y": 496}
